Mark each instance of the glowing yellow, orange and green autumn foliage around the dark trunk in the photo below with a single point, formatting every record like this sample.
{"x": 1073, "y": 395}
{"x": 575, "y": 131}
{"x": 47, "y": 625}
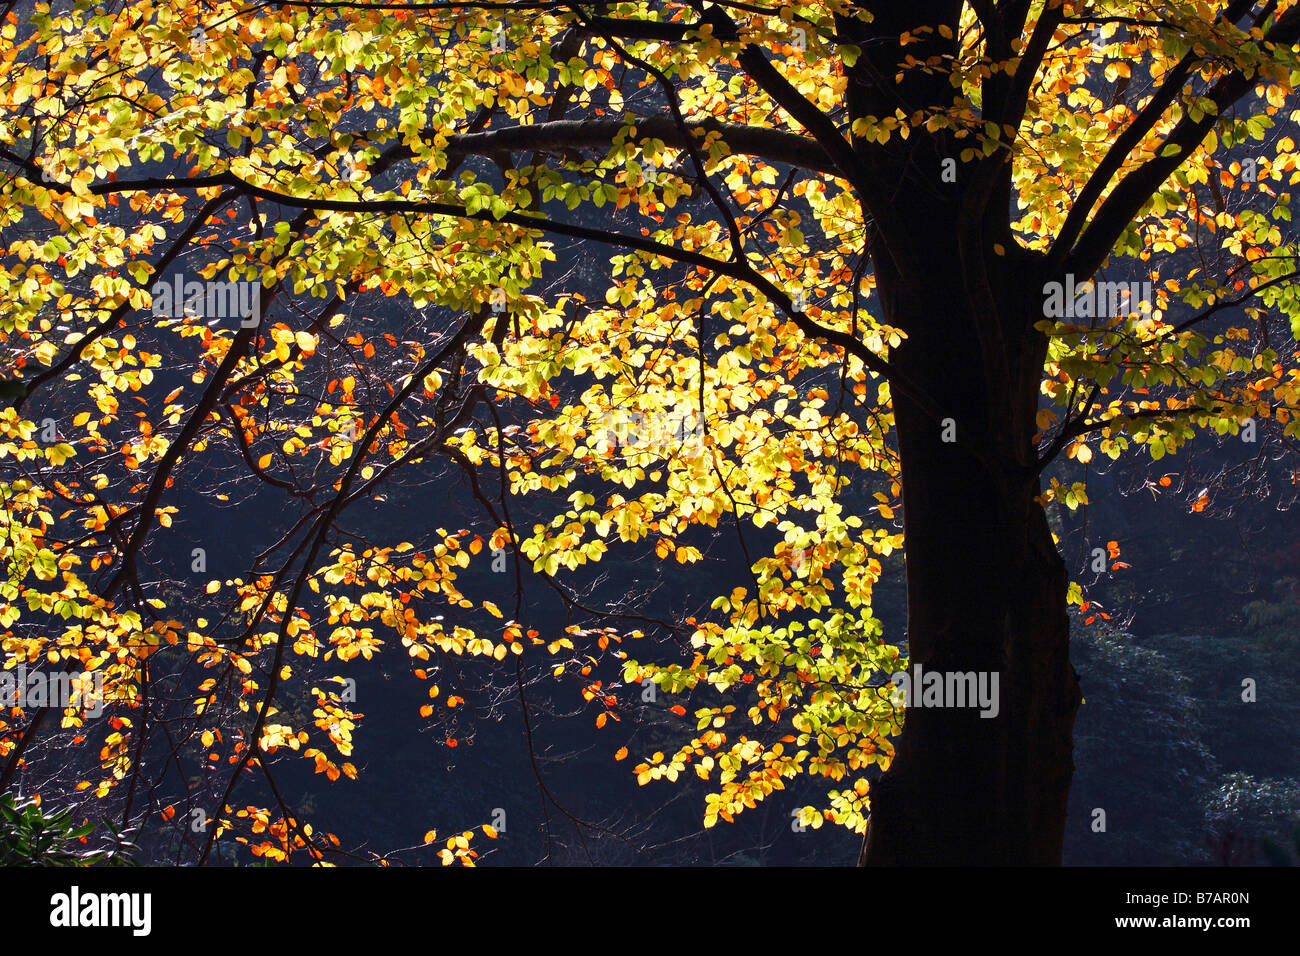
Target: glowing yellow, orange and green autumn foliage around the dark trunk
{"x": 642, "y": 418}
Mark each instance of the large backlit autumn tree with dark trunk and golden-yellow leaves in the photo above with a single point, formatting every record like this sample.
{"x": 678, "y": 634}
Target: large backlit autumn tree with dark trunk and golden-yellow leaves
{"x": 865, "y": 259}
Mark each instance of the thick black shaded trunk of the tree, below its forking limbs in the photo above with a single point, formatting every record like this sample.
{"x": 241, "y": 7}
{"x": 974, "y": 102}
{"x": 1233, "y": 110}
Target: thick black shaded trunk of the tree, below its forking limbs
{"x": 986, "y": 586}
